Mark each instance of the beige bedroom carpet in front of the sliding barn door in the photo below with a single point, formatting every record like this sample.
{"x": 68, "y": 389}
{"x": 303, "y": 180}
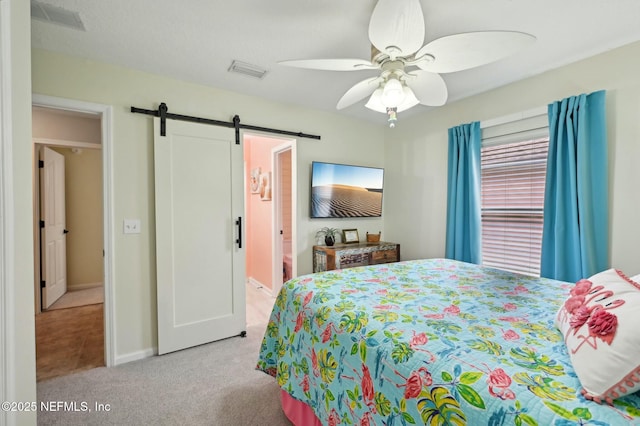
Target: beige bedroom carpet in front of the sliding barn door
{"x": 215, "y": 384}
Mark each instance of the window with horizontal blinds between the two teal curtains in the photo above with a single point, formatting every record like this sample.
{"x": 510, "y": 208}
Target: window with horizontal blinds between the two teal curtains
{"x": 513, "y": 168}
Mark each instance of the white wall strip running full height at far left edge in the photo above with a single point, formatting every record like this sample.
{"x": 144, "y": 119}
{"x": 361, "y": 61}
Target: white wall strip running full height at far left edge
{"x": 17, "y": 334}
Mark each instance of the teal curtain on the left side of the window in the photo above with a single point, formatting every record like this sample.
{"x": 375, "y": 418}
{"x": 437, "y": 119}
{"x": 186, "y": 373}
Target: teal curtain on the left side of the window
{"x": 464, "y": 229}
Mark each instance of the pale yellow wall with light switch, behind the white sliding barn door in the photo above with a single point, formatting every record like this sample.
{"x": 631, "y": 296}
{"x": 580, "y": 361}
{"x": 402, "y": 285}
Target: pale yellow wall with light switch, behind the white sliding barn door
{"x": 343, "y": 140}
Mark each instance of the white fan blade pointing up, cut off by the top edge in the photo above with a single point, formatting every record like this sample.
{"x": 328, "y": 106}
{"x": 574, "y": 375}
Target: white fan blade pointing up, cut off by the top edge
{"x": 397, "y": 27}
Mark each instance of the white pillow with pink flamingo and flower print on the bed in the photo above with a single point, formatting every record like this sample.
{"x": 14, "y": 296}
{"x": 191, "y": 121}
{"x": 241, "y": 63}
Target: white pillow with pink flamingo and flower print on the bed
{"x": 599, "y": 321}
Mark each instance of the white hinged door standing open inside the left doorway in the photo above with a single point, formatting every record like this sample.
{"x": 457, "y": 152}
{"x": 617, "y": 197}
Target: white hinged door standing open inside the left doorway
{"x": 53, "y": 237}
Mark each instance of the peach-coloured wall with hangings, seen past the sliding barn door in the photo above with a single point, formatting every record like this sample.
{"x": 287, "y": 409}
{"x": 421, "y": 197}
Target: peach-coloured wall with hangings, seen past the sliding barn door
{"x": 257, "y": 153}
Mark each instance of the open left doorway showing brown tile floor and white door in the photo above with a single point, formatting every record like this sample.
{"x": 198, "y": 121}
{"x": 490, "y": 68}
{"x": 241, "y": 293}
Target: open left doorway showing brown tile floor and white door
{"x": 73, "y": 323}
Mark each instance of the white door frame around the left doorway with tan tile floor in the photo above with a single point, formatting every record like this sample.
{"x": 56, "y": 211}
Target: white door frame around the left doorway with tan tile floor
{"x": 106, "y": 114}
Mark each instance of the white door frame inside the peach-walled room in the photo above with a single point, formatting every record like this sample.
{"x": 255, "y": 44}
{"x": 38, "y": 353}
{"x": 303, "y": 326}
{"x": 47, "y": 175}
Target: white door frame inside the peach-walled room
{"x": 276, "y": 225}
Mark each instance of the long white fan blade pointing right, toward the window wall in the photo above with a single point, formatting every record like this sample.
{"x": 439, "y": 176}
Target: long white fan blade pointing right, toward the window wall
{"x": 468, "y": 50}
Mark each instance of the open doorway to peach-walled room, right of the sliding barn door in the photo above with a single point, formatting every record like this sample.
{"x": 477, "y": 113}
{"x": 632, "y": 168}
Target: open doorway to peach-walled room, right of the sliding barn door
{"x": 270, "y": 204}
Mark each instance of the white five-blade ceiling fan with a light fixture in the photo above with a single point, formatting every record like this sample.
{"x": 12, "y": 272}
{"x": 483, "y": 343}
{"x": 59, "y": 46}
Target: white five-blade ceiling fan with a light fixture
{"x": 410, "y": 70}
